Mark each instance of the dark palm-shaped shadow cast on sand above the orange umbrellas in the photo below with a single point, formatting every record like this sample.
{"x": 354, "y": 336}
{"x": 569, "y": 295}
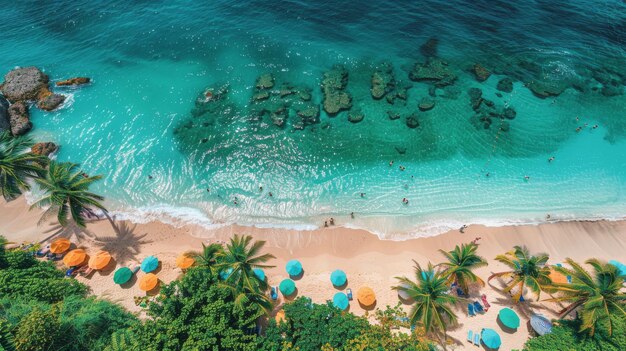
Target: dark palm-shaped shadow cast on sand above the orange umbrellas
{"x": 125, "y": 244}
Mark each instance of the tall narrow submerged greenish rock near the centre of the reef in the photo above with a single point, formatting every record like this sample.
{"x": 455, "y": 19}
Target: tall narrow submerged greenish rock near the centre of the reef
{"x": 336, "y": 98}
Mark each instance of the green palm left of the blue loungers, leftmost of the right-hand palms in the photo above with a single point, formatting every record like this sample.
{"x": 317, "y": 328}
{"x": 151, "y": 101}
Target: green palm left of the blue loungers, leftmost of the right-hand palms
{"x": 433, "y": 304}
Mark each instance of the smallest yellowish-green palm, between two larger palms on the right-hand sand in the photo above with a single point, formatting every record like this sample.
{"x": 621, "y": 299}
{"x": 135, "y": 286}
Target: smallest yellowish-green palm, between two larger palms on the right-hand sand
{"x": 461, "y": 261}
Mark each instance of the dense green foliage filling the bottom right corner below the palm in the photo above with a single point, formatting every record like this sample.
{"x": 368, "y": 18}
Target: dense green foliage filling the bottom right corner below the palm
{"x": 567, "y": 338}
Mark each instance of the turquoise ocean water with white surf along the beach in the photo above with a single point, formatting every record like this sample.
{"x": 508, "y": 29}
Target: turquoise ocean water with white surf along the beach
{"x": 149, "y": 60}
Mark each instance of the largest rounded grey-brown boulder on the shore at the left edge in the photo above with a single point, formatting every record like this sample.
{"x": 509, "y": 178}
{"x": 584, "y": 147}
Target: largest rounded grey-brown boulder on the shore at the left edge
{"x": 24, "y": 84}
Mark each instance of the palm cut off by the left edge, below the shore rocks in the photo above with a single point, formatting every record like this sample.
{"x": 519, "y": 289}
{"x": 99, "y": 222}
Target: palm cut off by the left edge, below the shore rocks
{"x": 17, "y": 165}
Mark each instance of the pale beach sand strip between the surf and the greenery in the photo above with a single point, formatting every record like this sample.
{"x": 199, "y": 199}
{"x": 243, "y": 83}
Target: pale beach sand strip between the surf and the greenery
{"x": 366, "y": 259}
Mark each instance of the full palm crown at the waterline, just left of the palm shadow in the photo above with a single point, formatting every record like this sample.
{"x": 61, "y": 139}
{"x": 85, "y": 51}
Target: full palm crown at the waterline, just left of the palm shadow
{"x": 67, "y": 194}
